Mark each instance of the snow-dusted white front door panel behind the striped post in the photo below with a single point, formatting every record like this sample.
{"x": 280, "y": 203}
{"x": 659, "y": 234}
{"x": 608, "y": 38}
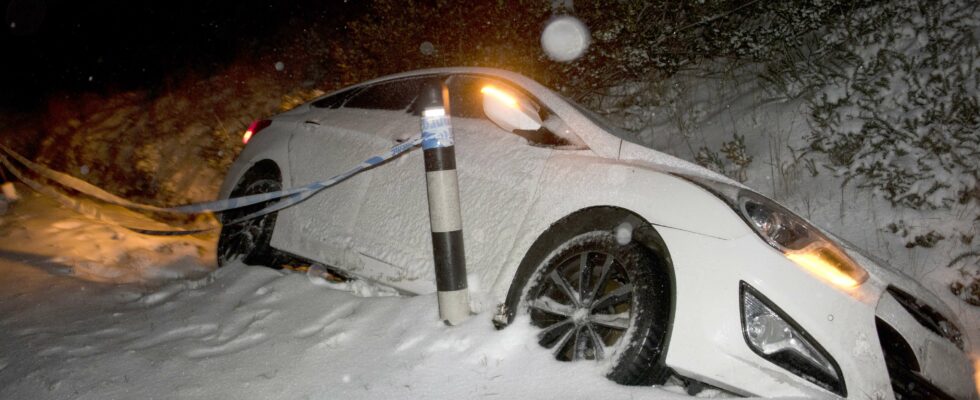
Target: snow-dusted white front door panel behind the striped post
{"x": 498, "y": 176}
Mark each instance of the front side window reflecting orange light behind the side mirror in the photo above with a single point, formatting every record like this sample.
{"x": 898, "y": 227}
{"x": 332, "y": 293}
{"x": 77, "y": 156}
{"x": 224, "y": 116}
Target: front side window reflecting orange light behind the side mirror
{"x": 466, "y": 101}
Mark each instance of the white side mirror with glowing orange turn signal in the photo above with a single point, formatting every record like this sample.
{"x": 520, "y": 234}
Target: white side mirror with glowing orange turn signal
{"x": 510, "y": 111}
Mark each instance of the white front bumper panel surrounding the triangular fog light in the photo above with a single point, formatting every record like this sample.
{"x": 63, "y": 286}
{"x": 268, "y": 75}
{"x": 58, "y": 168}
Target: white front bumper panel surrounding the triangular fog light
{"x": 706, "y": 327}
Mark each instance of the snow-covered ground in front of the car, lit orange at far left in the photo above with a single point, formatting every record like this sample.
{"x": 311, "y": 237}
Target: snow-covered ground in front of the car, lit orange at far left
{"x": 92, "y": 311}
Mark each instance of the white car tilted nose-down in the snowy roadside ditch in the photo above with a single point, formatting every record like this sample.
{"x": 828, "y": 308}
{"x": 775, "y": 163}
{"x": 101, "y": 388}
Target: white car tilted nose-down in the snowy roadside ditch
{"x": 617, "y": 252}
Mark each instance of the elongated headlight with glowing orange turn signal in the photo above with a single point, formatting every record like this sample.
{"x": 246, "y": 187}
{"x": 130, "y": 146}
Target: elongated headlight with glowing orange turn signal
{"x": 799, "y": 241}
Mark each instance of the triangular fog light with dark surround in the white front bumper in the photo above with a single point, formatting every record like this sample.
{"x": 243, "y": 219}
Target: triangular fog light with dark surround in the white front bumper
{"x": 774, "y": 336}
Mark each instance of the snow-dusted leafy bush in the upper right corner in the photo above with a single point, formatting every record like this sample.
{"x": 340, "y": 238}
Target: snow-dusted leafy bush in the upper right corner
{"x": 895, "y": 106}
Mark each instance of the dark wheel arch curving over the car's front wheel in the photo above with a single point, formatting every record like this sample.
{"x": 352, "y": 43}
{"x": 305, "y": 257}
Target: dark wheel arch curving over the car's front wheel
{"x": 581, "y": 221}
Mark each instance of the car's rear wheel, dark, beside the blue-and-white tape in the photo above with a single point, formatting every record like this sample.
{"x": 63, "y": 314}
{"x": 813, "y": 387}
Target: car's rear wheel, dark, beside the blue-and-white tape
{"x": 249, "y": 240}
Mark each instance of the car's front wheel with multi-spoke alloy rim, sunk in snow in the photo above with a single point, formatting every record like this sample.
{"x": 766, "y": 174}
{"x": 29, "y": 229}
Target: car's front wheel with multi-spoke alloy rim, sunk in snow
{"x": 597, "y": 299}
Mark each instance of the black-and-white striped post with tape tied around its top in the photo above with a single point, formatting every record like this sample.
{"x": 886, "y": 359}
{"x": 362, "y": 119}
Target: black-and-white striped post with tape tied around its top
{"x": 444, "y": 210}
